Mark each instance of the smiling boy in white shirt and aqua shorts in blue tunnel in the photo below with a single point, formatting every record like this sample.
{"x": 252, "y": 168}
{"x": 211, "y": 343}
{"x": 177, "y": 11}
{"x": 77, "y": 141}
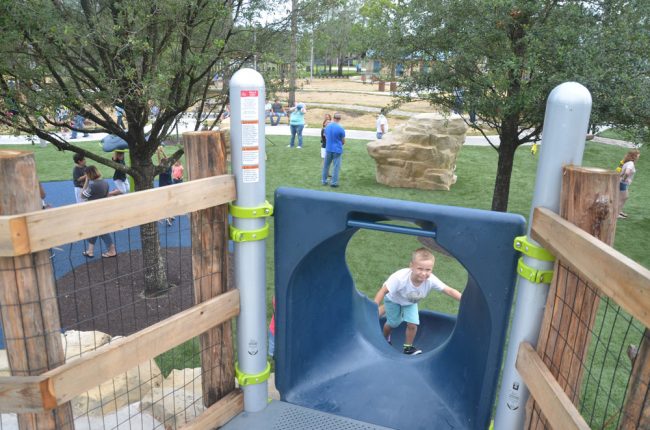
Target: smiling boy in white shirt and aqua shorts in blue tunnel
{"x": 403, "y": 290}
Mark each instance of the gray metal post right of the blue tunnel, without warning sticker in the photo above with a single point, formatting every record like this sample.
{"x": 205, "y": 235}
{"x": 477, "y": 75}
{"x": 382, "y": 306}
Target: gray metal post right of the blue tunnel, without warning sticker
{"x": 563, "y": 141}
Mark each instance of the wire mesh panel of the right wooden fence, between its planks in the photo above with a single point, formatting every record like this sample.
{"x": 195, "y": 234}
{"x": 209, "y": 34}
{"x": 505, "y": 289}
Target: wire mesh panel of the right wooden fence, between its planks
{"x": 590, "y": 345}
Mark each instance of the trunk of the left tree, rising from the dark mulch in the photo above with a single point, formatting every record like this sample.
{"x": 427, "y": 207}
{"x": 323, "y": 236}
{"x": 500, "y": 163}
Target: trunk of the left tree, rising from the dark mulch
{"x": 153, "y": 260}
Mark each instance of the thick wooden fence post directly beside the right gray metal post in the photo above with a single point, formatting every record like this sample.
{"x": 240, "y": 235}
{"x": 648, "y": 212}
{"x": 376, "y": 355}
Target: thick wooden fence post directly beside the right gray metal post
{"x": 589, "y": 199}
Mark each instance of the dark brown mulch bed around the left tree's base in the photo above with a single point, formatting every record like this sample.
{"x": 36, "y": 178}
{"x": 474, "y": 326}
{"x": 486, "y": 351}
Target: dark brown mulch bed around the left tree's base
{"x": 106, "y": 294}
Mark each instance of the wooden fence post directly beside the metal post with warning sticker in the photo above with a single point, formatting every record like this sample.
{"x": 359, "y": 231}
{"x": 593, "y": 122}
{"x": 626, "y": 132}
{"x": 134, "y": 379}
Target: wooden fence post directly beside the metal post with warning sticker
{"x": 205, "y": 154}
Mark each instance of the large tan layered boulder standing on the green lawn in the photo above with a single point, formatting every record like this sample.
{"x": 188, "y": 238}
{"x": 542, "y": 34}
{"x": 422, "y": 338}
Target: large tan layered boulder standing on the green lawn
{"x": 421, "y": 153}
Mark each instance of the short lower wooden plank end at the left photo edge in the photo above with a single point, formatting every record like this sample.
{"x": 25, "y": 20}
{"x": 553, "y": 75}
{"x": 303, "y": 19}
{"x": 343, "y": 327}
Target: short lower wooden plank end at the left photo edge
{"x": 21, "y": 394}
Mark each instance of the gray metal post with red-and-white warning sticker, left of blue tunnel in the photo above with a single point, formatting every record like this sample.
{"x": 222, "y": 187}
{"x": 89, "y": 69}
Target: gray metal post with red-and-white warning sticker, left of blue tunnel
{"x": 247, "y": 97}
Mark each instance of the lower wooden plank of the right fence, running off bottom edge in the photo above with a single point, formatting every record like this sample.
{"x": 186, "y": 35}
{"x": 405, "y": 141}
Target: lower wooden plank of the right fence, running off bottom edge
{"x": 553, "y": 401}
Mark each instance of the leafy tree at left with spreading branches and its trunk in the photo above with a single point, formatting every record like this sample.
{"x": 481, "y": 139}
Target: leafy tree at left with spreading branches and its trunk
{"x": 88, "y": 56}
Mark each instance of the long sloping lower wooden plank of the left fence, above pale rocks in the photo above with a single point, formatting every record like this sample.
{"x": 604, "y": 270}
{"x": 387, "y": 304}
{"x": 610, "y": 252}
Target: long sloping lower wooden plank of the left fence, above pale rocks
{"x": 78, "y": 376}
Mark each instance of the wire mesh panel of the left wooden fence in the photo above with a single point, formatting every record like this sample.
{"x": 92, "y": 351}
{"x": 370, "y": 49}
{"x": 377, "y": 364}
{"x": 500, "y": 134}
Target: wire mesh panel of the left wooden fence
{"x": 100, "y": 300}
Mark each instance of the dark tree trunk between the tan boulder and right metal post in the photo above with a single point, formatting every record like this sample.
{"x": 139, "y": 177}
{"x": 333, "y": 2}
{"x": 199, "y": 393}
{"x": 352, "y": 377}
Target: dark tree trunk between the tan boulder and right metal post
{"x": 507, "y": 148}
